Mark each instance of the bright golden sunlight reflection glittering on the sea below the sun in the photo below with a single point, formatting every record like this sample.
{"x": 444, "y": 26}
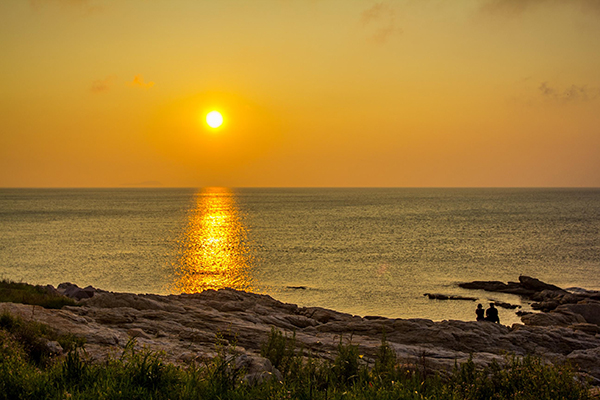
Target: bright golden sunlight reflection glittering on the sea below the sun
{"x": 214, "y": 251}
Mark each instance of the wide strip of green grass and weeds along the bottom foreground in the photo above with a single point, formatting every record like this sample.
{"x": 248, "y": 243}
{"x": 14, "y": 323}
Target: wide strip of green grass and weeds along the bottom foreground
{"x": 143, "y": 375}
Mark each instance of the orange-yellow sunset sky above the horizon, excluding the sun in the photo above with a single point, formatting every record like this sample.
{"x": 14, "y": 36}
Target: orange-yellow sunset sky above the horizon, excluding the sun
{"x": 416, "y": 93}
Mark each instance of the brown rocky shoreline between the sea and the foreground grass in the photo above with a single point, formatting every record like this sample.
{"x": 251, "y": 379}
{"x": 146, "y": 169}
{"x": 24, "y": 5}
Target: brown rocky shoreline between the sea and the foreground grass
{"x": 186, "y": 327}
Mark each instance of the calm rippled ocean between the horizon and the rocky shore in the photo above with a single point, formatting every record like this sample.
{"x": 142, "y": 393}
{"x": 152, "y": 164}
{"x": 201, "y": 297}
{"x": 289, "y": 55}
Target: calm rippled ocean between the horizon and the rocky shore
{"x": 363, "y": 251}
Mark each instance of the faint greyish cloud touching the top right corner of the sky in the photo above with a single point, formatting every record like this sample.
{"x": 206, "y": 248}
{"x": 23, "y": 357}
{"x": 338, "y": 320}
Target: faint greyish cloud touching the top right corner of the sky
{"x": 515, "y": 7}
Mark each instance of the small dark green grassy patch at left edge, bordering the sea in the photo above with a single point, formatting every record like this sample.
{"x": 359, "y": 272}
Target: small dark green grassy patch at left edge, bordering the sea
{"x": 16, "y": 292}
